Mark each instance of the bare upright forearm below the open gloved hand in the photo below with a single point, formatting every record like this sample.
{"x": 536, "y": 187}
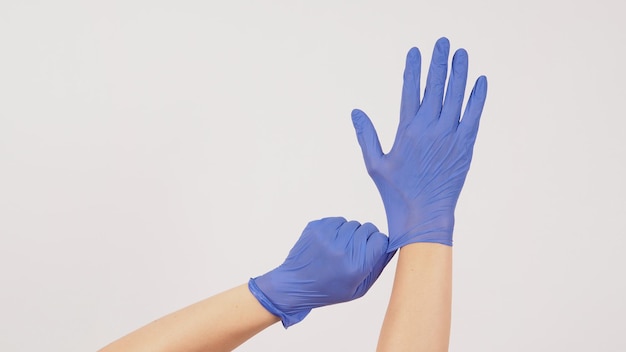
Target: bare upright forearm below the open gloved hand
{"x": 419, "y": 311}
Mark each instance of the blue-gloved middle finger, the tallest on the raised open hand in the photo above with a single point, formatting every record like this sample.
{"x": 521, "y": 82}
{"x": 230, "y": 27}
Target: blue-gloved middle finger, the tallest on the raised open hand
{"x": 436, "y": 80}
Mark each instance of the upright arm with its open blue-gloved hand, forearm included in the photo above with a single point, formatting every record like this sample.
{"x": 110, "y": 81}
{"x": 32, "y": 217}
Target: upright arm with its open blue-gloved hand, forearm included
{"x": 420, "y": 180}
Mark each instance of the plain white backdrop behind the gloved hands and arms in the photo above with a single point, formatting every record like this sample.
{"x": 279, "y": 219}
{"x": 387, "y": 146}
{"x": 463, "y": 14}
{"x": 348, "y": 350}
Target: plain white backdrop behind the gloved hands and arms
{"x": 155, "y": 153}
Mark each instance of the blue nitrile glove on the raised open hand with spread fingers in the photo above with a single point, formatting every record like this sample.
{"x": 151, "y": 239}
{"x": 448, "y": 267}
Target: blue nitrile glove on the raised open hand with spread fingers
{"x": 421, "y": 178}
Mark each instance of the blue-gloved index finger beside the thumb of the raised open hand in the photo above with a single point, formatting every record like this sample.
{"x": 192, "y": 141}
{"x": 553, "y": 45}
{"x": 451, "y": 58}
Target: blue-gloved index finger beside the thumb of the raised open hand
{"x": 410, "y": 88}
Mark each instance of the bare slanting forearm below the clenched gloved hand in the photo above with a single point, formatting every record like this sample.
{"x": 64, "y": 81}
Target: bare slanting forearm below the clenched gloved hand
{"x": 219, "y": 323}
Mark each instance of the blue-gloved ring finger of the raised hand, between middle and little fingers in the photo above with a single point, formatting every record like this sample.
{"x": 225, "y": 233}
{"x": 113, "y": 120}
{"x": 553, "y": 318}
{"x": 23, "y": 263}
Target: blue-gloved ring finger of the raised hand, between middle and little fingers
{"x": 451, "y": 111}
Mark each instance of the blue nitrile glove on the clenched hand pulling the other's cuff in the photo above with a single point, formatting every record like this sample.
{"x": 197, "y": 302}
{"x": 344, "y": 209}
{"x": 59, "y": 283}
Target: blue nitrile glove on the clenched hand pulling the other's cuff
{"x": 334, "y": 261}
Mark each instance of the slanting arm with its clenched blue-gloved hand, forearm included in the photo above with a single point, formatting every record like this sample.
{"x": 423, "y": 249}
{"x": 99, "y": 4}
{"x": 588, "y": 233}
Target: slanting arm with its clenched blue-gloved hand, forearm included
{"x": 333, "y": 261}
